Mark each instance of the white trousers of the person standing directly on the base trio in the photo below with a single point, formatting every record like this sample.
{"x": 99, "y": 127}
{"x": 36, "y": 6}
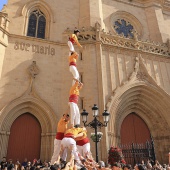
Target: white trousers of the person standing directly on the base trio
{"x": 74, "y": 114}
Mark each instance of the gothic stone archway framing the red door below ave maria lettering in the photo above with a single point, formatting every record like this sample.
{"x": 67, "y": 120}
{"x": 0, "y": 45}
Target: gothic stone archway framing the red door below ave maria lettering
{"x": 43, "y": 114}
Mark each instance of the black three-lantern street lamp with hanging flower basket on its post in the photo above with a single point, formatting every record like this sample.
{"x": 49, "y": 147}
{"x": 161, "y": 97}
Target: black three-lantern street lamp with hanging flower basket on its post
{"x": 95, "y": 123}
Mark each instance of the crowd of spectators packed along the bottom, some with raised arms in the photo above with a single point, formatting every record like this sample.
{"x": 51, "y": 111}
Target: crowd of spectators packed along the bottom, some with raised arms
{"x": 87, "y": 163}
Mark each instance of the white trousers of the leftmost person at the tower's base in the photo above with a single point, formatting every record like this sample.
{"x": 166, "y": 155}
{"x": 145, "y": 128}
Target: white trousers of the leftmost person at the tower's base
{"x": 57, "y": 146}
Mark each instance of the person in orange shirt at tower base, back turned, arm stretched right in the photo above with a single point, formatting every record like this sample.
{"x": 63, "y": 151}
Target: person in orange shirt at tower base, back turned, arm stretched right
{"x": 69, "y": 141}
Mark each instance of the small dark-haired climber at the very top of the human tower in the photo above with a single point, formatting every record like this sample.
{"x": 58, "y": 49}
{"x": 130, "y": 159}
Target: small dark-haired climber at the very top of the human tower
{"x": 73, "y": 39}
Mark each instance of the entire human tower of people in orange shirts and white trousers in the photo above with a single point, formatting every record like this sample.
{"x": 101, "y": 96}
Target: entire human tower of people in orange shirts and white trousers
{"x": 73, "y": 137}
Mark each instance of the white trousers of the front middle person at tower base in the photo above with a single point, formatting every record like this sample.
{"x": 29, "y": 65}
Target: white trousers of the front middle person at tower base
{"x": 70, "y": 143}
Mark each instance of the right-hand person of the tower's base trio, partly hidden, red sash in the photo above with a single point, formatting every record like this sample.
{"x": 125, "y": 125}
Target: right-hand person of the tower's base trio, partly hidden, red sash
{"x": 83, "y": 144}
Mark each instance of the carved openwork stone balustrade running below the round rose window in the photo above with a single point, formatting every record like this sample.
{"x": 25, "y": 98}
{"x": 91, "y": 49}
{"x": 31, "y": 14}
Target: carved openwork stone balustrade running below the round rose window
{"x": 109, "y": 41}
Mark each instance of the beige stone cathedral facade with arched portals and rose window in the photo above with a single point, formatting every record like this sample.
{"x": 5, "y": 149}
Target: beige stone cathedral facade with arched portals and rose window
{"x": 124, "y": 65}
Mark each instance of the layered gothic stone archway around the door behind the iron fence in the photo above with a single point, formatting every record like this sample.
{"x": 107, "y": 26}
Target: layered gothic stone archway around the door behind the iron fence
{"x": 147, "y": 101}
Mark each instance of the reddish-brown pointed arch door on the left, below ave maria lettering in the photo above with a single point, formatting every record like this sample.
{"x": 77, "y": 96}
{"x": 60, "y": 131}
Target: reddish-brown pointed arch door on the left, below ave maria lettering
{"x": 25, "y": 138}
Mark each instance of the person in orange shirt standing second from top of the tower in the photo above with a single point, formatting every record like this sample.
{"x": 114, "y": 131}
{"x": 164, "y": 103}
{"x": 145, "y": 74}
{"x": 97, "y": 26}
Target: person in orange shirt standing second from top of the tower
{"x": 73, "y": 66}
